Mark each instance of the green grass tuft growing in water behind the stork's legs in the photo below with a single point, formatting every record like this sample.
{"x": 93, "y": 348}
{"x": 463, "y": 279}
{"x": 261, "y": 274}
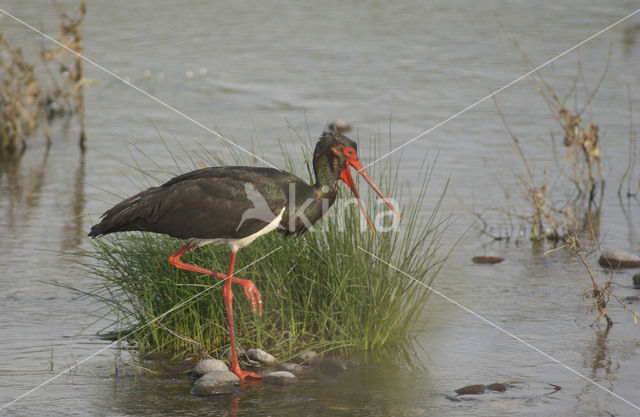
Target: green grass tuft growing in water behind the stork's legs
{"x": 320, "y": 291}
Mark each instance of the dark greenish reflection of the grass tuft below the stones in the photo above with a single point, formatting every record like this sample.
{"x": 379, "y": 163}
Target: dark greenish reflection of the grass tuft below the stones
{"x": 368, "y": 389}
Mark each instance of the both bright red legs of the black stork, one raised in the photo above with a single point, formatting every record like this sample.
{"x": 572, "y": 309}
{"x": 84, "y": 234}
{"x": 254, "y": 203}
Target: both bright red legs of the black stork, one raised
{"x": 250, "y": 291}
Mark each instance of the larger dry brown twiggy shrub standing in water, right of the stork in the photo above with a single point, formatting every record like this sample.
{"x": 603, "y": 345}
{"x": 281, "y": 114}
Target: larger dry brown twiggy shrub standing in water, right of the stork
{"x": 565, "y": 200}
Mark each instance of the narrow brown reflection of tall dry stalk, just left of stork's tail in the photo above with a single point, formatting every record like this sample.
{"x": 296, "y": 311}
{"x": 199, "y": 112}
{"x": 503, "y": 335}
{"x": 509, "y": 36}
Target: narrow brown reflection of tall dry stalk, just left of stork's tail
{"x": 72, "y": 230}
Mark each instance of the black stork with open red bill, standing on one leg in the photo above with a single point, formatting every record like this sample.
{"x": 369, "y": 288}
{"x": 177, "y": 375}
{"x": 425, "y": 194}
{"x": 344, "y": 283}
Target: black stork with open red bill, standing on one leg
{"x": 236, "y": 205}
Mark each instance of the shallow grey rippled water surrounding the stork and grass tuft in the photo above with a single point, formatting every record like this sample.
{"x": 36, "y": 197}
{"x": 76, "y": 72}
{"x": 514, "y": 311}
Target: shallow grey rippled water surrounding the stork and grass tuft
{"x": 261, "y": 74}
